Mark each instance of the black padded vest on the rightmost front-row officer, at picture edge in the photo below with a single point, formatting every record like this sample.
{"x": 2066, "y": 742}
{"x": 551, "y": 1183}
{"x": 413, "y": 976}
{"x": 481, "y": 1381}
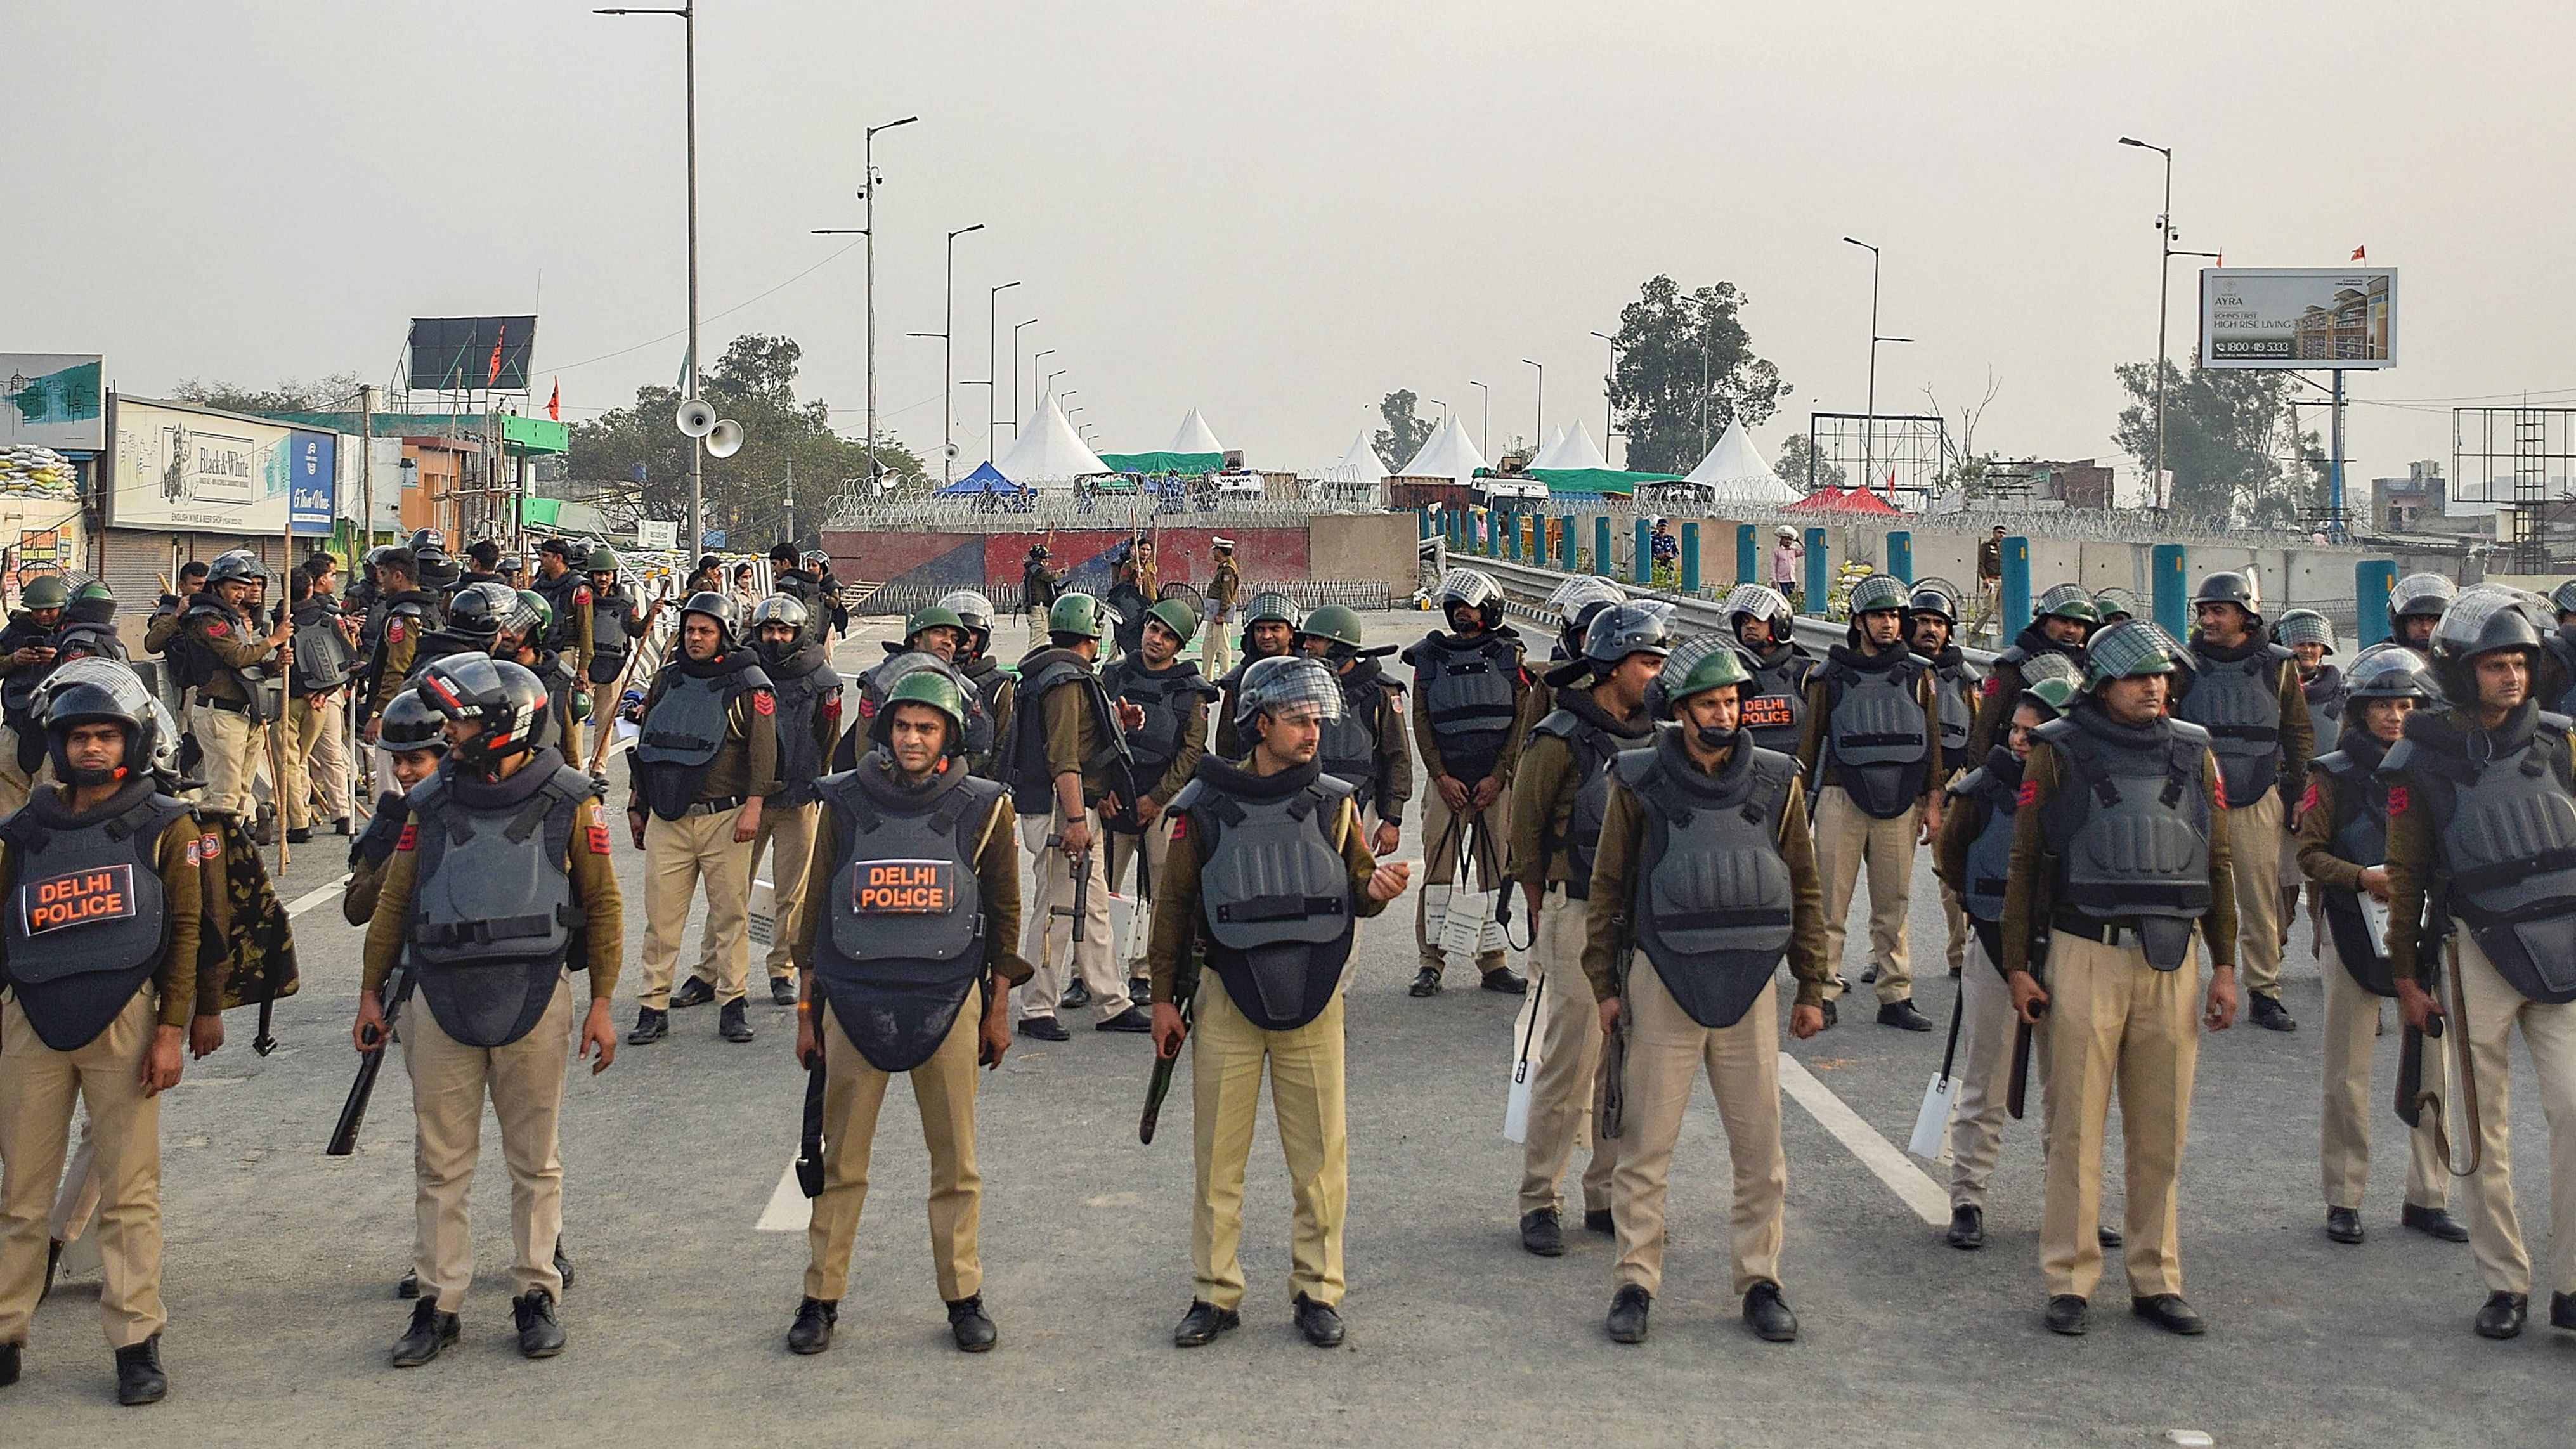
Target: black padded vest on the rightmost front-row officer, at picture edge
{"x": 2508, "y": 845}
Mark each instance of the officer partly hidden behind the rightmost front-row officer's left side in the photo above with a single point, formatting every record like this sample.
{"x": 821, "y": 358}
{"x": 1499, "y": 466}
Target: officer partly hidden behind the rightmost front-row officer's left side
{"x": 2343, "y": 848}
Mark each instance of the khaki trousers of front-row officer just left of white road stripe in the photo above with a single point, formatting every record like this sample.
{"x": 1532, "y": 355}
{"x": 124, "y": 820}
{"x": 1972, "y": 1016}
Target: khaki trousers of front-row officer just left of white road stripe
{"x": 1668, "y": 1051}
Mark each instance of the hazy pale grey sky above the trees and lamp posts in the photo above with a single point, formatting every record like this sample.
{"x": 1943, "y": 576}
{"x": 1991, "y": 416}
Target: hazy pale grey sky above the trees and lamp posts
{"x": 1282, "y": 212}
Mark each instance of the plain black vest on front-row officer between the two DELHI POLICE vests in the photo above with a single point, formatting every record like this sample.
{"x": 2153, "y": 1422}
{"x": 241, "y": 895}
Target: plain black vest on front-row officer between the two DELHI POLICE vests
{"x": 493, "y": 915}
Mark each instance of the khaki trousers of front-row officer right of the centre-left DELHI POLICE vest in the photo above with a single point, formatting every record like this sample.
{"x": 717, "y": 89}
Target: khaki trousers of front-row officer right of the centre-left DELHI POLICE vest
{"x": 1227, "y": 1059}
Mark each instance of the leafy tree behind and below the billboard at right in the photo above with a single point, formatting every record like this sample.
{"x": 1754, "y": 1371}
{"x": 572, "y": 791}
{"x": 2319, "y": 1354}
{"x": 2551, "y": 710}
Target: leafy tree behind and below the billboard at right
{"x": 2230, "y": 441}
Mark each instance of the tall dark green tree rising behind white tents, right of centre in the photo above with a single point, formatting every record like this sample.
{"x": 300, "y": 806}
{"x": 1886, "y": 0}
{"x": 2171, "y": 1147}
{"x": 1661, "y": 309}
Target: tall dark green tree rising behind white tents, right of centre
{"x": 1686, "y": 369}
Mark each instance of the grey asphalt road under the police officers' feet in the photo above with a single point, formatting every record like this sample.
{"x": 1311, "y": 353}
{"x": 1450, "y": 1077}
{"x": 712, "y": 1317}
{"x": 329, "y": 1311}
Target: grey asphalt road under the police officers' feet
{"x": 282, "y": 1262}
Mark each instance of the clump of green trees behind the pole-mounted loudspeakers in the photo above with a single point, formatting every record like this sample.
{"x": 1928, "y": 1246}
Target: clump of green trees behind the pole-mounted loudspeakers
{"x": 748, "y": 493}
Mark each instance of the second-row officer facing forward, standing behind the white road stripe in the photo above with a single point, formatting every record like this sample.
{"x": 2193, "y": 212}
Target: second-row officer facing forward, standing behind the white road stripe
{"x": 1871, "y": 753}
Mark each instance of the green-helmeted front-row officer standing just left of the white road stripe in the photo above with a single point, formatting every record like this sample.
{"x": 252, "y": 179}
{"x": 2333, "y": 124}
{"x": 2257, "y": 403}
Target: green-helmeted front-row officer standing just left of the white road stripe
{"x": 1704, "y": 871}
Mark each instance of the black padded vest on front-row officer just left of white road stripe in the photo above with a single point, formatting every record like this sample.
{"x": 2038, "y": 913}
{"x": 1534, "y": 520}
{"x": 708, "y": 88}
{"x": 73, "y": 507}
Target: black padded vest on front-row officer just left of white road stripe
{"x": 1712, "y": 897}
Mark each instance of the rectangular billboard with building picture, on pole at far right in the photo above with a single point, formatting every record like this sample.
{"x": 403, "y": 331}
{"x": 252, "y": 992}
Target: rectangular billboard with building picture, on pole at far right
{"x": 2299, "y": 318}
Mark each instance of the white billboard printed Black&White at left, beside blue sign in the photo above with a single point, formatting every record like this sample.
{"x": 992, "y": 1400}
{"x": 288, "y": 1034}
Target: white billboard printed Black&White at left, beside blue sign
{"x": 200, "y": 472}
